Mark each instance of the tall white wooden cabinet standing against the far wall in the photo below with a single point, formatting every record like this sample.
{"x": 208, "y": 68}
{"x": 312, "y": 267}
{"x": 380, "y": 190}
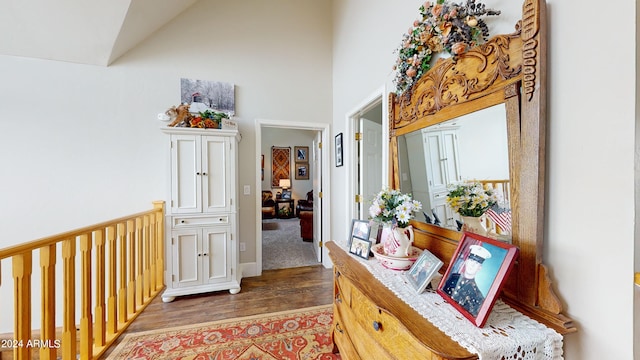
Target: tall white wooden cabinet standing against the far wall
{"x": 201, "y": 236}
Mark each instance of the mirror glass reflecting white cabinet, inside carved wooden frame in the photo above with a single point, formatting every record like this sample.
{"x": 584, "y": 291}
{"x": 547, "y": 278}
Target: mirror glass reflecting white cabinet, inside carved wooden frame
{"x": 470, "y": 147}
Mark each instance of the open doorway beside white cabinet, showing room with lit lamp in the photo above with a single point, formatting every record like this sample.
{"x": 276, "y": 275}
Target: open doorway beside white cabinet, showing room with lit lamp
{"x": 290, "y": 226}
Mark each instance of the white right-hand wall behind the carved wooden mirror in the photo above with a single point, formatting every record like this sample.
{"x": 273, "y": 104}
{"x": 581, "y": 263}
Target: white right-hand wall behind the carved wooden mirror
{"x": 589, "y": 207}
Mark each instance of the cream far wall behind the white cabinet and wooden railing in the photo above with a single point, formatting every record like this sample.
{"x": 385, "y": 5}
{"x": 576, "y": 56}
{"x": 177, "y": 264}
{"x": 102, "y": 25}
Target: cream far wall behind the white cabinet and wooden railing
{"x": 81, "y": 144}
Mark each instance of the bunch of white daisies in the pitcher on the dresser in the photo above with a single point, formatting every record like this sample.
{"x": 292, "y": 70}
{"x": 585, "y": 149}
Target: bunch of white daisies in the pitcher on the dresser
{"x": 391, "y": 207}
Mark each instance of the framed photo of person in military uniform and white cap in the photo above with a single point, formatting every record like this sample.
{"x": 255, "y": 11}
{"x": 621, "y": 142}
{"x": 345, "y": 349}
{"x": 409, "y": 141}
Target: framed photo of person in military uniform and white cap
{"x": 476, "y": 275}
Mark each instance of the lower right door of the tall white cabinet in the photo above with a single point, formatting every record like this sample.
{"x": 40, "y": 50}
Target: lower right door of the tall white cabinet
{"x": 216, "y": 254}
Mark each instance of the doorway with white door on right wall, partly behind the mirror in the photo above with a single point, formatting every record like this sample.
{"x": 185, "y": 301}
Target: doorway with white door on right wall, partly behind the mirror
{"x": 368, "y": 134}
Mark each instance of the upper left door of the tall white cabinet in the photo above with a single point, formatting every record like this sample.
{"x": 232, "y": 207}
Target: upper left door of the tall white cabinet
{"x": 186, "y": 183}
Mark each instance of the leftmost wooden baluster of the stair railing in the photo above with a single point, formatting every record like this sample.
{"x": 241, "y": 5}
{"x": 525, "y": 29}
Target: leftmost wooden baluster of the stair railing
{"x": 22, "y": 299}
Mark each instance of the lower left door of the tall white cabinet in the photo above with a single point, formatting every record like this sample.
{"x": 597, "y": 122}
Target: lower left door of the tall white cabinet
{"x": 186, "y": 256}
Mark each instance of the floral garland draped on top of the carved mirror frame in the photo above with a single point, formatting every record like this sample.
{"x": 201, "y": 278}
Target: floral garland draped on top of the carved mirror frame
{"x": 444, "y": 26}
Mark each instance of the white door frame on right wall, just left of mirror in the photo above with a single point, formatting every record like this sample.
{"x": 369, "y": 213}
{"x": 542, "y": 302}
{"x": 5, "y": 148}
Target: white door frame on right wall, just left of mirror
{"x": 352, "y": 119}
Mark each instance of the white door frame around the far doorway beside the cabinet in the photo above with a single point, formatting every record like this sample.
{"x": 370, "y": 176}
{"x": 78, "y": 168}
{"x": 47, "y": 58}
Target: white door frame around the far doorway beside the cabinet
{"x": 324, "y": 130}
